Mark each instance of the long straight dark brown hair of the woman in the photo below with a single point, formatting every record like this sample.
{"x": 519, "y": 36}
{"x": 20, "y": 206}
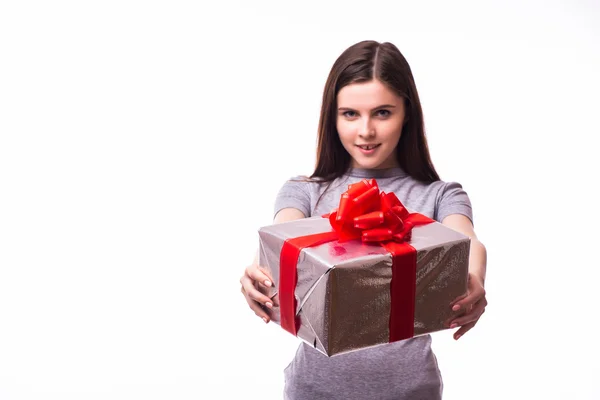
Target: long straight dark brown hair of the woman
{"x": 364, "y": 62}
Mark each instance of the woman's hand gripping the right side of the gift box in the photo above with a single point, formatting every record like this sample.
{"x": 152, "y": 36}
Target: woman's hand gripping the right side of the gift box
{"x": 469, "y": 308}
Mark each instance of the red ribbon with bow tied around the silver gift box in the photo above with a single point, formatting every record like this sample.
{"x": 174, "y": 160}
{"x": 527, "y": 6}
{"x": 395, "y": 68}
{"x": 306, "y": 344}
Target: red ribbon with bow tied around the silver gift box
{"x": 376, "y": 218}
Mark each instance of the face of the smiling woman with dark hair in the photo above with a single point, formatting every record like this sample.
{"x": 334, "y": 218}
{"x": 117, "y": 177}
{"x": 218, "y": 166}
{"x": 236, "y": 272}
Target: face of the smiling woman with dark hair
{"x": 369, "y": 122}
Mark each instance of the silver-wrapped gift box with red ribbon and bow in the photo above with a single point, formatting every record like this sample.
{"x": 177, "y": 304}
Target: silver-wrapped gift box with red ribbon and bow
{"x": 369, "y": 273}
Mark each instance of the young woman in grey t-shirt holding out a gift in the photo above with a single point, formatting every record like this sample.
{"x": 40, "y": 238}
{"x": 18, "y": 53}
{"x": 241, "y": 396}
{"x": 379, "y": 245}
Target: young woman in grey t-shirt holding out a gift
{"x": 371, "y": 126}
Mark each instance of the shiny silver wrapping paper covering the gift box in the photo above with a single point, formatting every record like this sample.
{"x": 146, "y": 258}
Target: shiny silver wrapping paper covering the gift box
{"x": 343, "y": 290}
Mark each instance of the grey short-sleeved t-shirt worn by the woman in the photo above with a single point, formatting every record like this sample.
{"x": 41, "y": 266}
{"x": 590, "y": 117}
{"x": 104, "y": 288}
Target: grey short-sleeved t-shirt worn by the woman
{"x": 402, "y": 370}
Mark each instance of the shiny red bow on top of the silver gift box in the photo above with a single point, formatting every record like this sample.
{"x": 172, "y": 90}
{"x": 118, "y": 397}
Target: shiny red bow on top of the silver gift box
{"x": 365, "y": 213}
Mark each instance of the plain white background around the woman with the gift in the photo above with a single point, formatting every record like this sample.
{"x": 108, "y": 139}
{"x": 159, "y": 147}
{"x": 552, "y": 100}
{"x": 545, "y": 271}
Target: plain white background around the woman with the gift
{"x": 143, "y": 143}
